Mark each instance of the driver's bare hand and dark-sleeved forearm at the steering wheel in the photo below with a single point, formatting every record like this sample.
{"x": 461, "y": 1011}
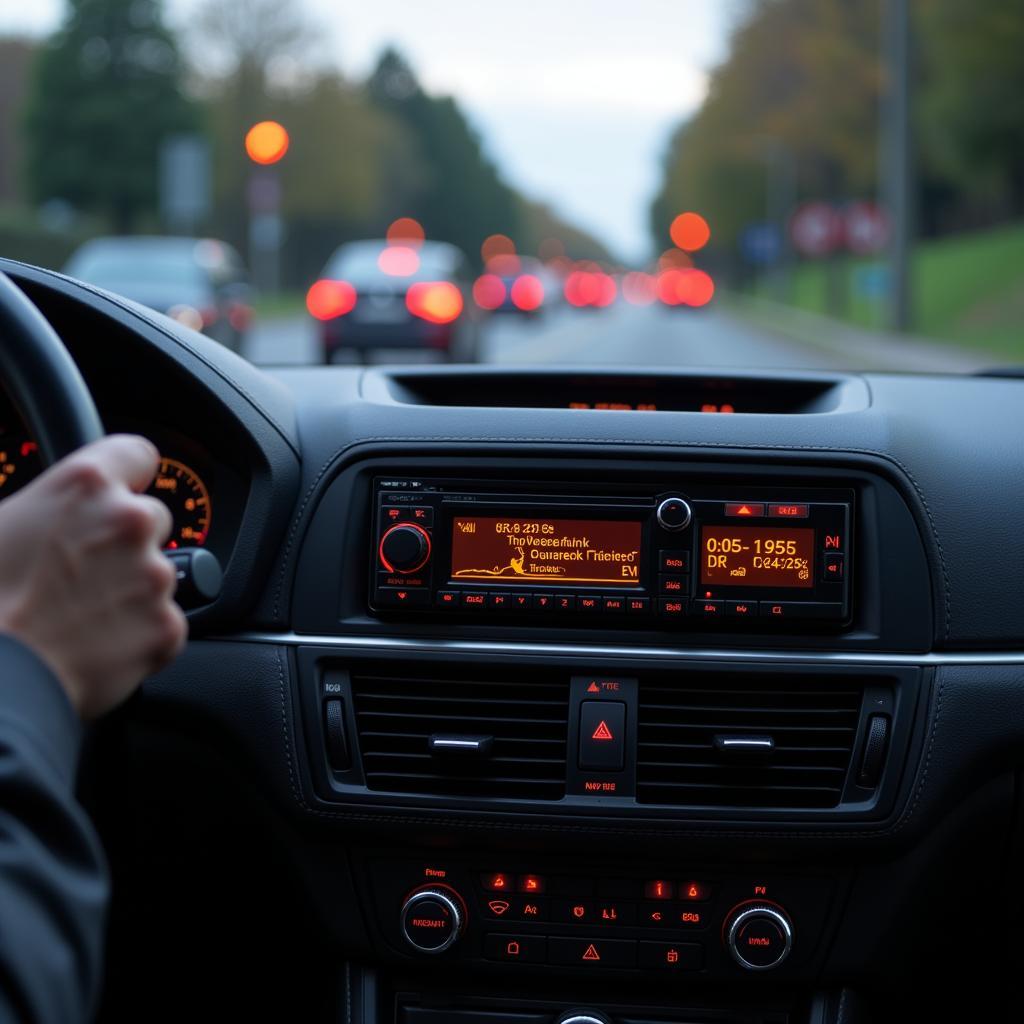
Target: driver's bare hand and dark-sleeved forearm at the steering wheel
{"x": 87, "y": 611}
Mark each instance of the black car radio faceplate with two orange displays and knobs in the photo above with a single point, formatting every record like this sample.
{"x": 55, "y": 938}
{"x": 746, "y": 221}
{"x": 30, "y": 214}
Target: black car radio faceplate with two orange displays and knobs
{"x": 691, "y": 558}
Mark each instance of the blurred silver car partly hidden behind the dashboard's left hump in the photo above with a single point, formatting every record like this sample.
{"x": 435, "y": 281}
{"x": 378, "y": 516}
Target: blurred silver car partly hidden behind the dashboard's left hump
{"x": 201, "y": 283}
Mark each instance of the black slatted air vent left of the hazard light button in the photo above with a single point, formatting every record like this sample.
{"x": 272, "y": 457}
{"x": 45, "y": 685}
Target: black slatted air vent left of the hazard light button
{"x": 516, "y": 731}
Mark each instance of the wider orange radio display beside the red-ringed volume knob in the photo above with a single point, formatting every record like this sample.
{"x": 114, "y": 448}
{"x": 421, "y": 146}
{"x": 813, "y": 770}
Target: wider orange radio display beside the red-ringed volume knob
{"x": 525, "y": 550}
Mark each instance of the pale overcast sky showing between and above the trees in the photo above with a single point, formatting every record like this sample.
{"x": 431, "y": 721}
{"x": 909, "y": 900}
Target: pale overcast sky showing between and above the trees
{"x": 575, "y": 99}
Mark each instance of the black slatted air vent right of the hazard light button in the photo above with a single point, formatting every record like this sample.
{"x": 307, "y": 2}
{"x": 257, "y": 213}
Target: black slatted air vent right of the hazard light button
{"x": 799, "y": 736}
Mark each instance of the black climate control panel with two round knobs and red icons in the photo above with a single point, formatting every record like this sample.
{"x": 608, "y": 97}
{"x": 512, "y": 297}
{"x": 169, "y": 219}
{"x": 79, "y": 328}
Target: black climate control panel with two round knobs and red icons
{"x": 533, "y": 918}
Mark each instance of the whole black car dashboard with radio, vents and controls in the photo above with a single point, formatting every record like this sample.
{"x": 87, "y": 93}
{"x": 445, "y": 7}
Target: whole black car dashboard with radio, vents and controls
{"x": 570, "y": 696}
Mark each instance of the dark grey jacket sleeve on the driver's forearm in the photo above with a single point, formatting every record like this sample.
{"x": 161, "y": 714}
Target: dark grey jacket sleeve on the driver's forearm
{"x": 54, "y": 879}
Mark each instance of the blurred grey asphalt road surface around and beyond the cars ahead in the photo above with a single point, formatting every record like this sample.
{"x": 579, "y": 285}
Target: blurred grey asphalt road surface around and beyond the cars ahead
{"x": 624, "y": 335}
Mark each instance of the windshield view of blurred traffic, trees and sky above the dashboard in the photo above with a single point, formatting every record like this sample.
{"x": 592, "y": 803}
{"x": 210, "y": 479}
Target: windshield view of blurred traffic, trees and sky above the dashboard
{"x": 778, "y": 184}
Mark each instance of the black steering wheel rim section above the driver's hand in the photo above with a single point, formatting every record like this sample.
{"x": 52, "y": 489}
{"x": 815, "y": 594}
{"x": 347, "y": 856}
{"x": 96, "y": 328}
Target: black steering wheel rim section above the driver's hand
{"x": 42, "y": 380}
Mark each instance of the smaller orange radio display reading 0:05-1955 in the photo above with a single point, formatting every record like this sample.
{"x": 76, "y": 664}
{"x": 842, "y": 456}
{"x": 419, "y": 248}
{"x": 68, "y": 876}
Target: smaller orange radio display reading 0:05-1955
{"x": 757, "y": 557}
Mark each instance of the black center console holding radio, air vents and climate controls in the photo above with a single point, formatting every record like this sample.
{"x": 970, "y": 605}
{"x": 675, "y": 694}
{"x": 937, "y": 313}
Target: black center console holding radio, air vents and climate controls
{"x": 596, "y": 705}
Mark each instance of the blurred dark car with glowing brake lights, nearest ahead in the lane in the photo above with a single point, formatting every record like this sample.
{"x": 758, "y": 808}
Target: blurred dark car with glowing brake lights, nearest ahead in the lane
{"x": 375, "y": 294}
